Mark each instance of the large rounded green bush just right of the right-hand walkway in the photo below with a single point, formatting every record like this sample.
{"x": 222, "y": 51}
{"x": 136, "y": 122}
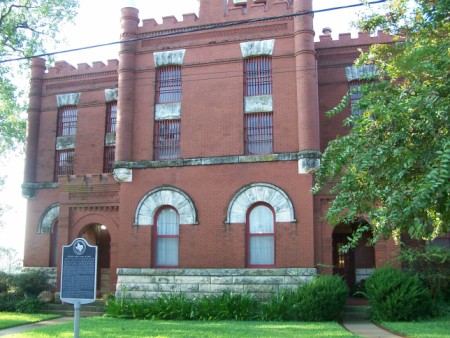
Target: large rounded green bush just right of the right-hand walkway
{"x": 395, "y": 295}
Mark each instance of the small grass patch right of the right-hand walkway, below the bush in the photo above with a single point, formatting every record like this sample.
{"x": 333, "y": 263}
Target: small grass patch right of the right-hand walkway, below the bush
{"x": 432, "y": 328}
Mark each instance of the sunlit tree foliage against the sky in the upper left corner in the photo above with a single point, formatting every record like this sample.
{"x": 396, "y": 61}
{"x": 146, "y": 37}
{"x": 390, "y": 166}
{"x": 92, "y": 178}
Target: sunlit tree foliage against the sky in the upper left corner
{"x": 26, "y": 27}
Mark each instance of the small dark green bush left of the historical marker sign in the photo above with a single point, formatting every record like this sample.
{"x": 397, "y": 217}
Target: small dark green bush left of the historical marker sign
{"x": 31, "y": 283}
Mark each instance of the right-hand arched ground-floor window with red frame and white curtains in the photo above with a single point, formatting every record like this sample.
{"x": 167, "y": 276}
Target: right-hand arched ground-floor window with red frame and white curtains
{"x": 261, "y": 236}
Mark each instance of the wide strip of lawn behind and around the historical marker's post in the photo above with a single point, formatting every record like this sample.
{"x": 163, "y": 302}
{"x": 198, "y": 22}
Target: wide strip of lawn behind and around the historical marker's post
{"x": 109, "y": 327}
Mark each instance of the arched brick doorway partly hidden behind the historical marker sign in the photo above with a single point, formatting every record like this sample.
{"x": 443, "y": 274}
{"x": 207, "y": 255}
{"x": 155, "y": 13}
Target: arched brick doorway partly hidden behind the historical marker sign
{"x": 98, "y": 234}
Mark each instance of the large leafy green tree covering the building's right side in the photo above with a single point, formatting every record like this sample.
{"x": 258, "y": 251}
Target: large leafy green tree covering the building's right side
{"x": 394, "y": 165}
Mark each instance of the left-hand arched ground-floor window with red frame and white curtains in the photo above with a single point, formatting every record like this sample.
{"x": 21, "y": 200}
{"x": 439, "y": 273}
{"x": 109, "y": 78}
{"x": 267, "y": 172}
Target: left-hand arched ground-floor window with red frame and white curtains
{"x": 167, "y": 235}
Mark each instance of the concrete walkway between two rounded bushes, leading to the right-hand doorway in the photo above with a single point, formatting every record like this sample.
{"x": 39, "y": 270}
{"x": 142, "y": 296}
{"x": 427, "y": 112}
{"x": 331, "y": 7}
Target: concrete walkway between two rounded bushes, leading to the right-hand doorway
{"x": 356, "y": 320}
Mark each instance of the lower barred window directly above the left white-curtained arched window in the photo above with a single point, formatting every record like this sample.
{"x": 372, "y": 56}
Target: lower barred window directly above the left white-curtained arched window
{"x": 167, "y": 140}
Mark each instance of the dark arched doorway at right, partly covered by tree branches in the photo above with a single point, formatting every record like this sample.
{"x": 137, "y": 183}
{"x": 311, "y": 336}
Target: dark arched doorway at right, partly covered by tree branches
{"x": 356, "y": 264}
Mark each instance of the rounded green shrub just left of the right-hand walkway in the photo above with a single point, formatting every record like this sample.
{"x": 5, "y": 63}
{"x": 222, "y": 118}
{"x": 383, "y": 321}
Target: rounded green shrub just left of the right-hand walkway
{"x": 321, "y": 300}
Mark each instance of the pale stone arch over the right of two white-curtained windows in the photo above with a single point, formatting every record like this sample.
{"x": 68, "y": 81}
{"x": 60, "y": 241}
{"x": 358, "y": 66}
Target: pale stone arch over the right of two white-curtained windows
{"x": 260, "y": 192}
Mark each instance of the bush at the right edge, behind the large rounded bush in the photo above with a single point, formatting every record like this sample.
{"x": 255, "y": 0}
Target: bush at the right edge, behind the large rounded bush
{"x": 432, "y": 264}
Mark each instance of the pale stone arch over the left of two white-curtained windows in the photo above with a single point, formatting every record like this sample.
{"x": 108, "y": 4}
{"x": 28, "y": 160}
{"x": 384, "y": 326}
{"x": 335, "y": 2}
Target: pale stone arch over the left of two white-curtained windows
{"x": 159, "y": 197}
